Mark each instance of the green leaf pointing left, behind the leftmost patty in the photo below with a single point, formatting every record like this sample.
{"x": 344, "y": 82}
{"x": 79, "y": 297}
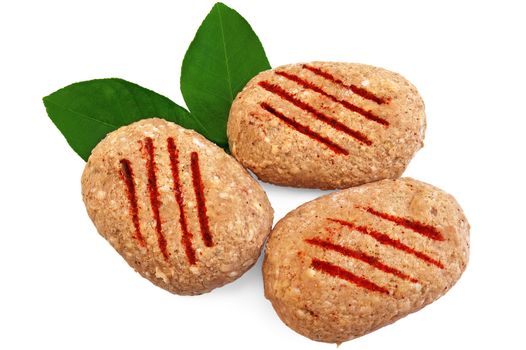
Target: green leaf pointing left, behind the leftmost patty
{"x": 85, "y": 112}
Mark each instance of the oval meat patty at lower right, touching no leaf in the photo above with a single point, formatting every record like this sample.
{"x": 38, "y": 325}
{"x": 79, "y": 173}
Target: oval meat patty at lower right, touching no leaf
{"x": 353, "y": 261}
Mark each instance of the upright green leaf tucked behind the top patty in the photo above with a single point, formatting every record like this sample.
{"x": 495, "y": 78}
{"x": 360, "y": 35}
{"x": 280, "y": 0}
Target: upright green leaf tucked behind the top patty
{"x": 224, "y": 55}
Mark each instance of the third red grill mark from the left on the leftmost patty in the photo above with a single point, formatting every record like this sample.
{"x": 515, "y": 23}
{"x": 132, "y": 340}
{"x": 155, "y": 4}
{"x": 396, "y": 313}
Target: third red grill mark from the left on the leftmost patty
{"x": 186, "y": 237}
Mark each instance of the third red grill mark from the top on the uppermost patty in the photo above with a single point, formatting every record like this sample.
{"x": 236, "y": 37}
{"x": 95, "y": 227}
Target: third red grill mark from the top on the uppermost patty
{"x": 279, "y": 91}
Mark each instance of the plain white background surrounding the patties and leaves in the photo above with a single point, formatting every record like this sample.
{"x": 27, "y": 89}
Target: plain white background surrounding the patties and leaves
{"x": 63, "y": 287}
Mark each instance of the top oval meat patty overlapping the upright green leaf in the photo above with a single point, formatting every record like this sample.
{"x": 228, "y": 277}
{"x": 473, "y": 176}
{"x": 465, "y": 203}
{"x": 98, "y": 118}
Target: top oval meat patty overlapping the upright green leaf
{"x": 326, "y": 125}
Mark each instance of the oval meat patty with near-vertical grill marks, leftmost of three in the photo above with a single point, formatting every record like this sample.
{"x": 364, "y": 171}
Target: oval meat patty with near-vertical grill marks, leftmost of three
{"x": 179, "y": 210}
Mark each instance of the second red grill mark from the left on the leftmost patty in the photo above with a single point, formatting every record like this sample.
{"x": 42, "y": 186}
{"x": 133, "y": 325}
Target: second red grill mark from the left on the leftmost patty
{"x": 154, "y": 195}
